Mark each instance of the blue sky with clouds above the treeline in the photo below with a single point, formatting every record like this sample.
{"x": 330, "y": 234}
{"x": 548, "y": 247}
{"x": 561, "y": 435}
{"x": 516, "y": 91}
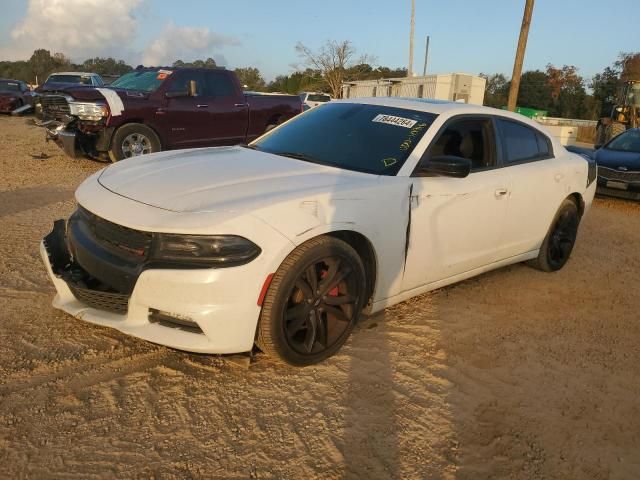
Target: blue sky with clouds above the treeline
{"x": 470, "y": 36}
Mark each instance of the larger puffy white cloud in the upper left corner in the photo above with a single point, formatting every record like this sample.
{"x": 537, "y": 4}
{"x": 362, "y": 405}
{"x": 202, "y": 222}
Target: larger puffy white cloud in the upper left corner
{"x": 77, "y": 28}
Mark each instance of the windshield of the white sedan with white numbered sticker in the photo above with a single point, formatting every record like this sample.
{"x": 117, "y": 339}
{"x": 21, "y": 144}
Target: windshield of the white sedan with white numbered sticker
{"x": 365, "y": 138}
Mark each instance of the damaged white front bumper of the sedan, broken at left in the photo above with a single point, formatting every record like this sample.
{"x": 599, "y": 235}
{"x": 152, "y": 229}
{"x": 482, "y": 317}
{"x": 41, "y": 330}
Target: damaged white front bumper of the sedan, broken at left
{"x": 200, "y": 310}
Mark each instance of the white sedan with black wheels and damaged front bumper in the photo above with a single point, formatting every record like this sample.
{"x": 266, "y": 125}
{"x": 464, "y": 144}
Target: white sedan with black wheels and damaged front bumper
{"x": 348, "y": 208}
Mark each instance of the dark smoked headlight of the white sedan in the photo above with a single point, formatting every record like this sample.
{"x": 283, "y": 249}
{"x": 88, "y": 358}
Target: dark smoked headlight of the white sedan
{"x": 214, "y": 250}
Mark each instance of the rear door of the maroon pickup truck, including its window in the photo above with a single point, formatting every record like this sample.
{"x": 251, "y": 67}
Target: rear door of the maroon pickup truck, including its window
{"x": 228, "y": 110}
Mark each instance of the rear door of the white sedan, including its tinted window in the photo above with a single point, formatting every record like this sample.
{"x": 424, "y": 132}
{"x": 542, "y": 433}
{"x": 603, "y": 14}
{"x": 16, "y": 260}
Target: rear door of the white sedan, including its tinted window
{"x": 537, "y": 185}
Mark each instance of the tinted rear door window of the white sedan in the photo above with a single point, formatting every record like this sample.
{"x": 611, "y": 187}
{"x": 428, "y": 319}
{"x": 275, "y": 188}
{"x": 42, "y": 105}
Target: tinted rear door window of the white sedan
{"x": 522, "y": 143}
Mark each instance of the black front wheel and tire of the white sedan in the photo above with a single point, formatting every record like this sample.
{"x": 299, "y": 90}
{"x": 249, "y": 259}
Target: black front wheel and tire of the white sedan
{"x": 314, "y": 301}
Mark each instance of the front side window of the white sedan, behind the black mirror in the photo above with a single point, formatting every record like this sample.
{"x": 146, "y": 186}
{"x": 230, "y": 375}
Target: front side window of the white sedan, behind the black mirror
{"x": 469, "y": 138}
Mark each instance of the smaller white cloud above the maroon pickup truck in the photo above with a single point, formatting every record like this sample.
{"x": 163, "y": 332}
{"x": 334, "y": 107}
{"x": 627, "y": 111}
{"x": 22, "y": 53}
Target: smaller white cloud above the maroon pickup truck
{"x": 187, "y": 44}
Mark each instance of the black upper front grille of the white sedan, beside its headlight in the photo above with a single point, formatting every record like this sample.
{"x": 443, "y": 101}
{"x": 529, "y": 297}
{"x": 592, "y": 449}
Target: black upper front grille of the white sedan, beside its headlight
{"x": 124, "y": 241}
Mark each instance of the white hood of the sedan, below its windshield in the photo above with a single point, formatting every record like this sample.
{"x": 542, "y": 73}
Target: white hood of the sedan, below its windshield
{"x": 222, "y": 179}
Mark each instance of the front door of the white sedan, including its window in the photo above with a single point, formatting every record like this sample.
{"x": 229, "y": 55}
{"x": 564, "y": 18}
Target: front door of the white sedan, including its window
{"x": 456, "y": 223}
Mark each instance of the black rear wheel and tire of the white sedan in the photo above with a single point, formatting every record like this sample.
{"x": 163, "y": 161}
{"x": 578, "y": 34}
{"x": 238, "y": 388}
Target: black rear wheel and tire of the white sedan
{"x": 561, "y": 237}
